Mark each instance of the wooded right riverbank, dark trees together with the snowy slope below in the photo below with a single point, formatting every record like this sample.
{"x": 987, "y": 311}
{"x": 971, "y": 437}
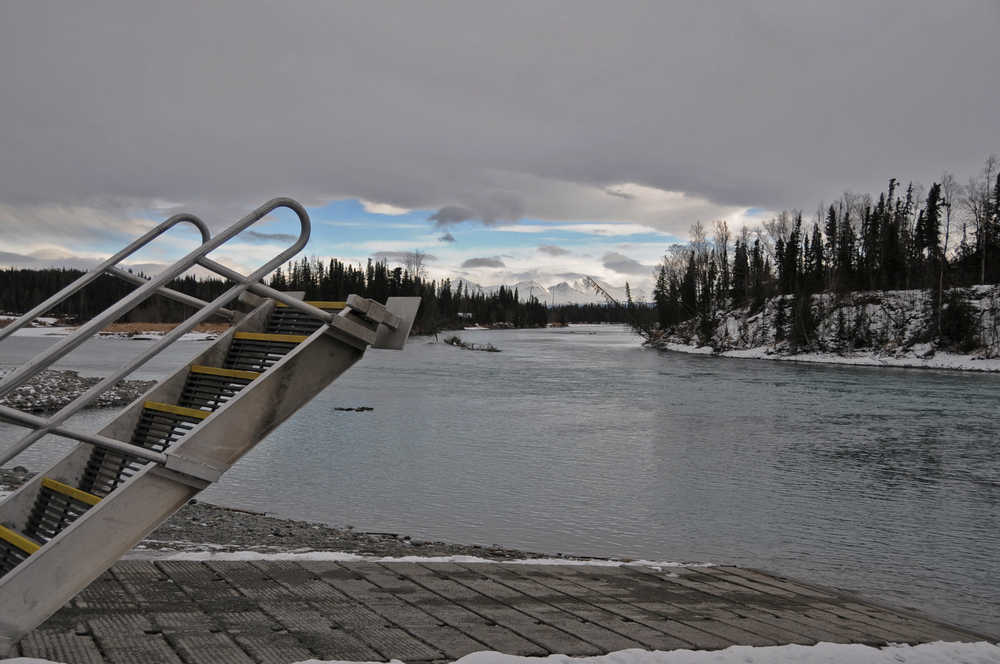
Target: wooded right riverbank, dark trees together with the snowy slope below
{"x": 906, "y": 267}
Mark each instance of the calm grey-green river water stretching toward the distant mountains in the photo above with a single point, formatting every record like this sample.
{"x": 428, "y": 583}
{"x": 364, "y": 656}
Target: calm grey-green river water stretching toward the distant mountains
{"x": 882, "y": 481}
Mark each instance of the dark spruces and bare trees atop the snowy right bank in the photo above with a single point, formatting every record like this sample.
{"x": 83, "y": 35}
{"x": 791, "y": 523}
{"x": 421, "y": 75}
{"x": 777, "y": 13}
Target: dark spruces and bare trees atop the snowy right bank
{"x": 905, "y": 238}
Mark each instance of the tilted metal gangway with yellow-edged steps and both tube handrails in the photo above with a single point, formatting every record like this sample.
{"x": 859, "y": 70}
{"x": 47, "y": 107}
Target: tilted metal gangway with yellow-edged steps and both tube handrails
{"x": 70, "y": 523}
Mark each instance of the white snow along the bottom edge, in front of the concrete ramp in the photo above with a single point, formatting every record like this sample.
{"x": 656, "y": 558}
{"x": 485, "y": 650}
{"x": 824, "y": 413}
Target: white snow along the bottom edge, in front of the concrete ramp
{"x": 939, "y": 652}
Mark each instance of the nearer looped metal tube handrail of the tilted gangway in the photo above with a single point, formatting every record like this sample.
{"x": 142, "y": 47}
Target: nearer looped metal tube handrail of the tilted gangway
{"x": 53, "y": 424}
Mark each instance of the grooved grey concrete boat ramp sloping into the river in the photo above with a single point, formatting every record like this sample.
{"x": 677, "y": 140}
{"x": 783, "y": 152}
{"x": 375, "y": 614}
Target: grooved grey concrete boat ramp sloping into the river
{"x": 240, "y": 612}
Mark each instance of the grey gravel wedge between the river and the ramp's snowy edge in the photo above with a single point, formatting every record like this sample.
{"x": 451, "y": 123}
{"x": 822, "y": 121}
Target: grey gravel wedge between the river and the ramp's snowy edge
{"x": 204, "y": 527}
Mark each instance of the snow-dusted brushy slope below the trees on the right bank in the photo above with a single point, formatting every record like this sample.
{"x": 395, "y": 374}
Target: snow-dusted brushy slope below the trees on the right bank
{"x": 882, "y": 328}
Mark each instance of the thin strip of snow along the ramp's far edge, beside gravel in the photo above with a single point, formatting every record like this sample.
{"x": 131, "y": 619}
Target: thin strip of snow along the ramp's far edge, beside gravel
{"x": 344, "y": 557}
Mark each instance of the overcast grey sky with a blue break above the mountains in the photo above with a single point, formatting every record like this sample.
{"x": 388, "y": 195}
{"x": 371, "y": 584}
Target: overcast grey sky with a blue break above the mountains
{"x": 517, "y": 139}
